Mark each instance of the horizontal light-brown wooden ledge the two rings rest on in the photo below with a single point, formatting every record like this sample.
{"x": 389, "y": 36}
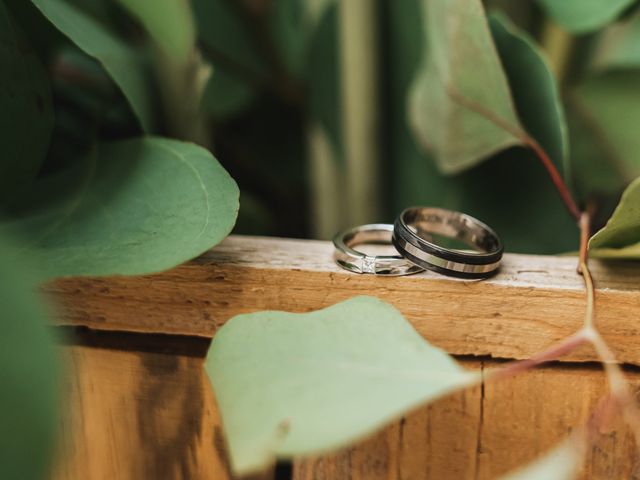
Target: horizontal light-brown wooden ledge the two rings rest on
{"x": 533, "y": 302}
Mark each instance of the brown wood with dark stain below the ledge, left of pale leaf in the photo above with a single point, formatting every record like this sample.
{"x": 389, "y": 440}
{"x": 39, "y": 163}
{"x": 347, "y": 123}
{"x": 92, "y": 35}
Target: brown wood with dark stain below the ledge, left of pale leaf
{"x": 135, "y": 415}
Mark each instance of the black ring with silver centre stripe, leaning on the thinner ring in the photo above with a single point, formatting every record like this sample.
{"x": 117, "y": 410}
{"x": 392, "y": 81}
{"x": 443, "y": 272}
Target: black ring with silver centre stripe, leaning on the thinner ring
{"x": 412, "y": 237}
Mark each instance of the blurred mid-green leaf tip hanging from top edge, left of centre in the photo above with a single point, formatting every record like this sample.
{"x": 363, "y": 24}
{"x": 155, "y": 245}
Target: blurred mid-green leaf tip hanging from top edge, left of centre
{"x": 169, "y": 22}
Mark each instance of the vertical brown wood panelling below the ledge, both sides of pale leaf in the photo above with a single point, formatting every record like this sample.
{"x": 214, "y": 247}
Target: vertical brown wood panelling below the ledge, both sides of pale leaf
{"x": 133, "y": 414}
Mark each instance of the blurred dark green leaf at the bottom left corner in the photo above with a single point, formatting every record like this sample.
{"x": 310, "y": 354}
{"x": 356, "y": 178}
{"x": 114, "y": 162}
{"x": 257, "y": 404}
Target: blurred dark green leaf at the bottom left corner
{"x": 28, "y": 372}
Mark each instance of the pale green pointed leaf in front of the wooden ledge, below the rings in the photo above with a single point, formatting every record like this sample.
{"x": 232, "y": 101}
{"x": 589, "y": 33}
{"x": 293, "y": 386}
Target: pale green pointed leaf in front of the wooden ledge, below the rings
{"x": 303, "y": 384}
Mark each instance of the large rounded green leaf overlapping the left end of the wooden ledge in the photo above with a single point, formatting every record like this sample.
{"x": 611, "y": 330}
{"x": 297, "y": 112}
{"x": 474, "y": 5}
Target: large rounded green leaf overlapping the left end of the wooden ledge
{"x": 136, "y": 206}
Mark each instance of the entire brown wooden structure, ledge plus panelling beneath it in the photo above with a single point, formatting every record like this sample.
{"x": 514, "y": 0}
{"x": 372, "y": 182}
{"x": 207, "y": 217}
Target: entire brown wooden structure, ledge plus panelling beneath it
{"x": 144, "y": 409}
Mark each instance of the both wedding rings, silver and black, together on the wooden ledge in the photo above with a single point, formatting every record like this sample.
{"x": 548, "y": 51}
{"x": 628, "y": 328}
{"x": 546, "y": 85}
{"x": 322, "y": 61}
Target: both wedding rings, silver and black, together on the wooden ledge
{"x": 413, "y": 237}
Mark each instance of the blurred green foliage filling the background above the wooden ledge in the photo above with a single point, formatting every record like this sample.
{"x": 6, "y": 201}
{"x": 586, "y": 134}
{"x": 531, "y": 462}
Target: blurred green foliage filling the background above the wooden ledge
{"x": 99, "y": 100}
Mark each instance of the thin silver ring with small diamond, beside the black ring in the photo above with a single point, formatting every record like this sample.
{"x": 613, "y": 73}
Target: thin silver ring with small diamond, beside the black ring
{"x": 358, "y": 262}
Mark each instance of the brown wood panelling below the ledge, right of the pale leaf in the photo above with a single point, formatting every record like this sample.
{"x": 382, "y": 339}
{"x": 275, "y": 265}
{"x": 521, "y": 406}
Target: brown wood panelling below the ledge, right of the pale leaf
{"x": 487, "y": 431}
